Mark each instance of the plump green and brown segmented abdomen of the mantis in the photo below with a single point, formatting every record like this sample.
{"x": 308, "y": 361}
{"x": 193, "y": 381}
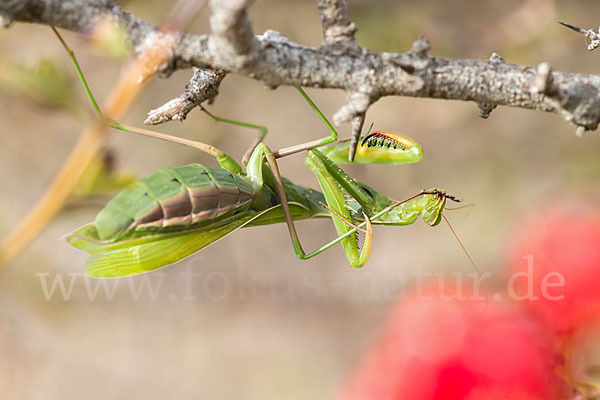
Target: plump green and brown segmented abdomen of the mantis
{"x": 174, "y": 197}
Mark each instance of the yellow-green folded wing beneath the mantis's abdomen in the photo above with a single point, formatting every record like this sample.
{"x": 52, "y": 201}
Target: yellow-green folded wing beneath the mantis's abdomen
{"x": 146, "y": 253}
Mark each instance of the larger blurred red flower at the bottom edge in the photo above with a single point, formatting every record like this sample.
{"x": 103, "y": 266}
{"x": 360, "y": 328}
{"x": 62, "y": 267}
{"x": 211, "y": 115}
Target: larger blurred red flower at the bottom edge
{"x": 453, "y": 349}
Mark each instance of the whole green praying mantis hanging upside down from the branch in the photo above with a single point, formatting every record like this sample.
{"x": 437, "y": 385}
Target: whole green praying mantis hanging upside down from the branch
{"x": 176, "y": 212}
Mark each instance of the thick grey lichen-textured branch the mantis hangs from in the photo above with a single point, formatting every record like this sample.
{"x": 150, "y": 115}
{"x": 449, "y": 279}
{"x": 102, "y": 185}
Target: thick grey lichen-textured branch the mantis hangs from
{"x": 365, "y": 76}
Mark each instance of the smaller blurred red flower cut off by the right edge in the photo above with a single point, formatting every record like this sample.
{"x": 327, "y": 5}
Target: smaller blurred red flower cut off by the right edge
{"x": 560, "y": 249}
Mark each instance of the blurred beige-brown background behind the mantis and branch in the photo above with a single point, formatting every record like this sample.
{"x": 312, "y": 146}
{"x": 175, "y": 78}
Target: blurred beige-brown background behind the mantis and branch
{"x": 244, "y": 318}
